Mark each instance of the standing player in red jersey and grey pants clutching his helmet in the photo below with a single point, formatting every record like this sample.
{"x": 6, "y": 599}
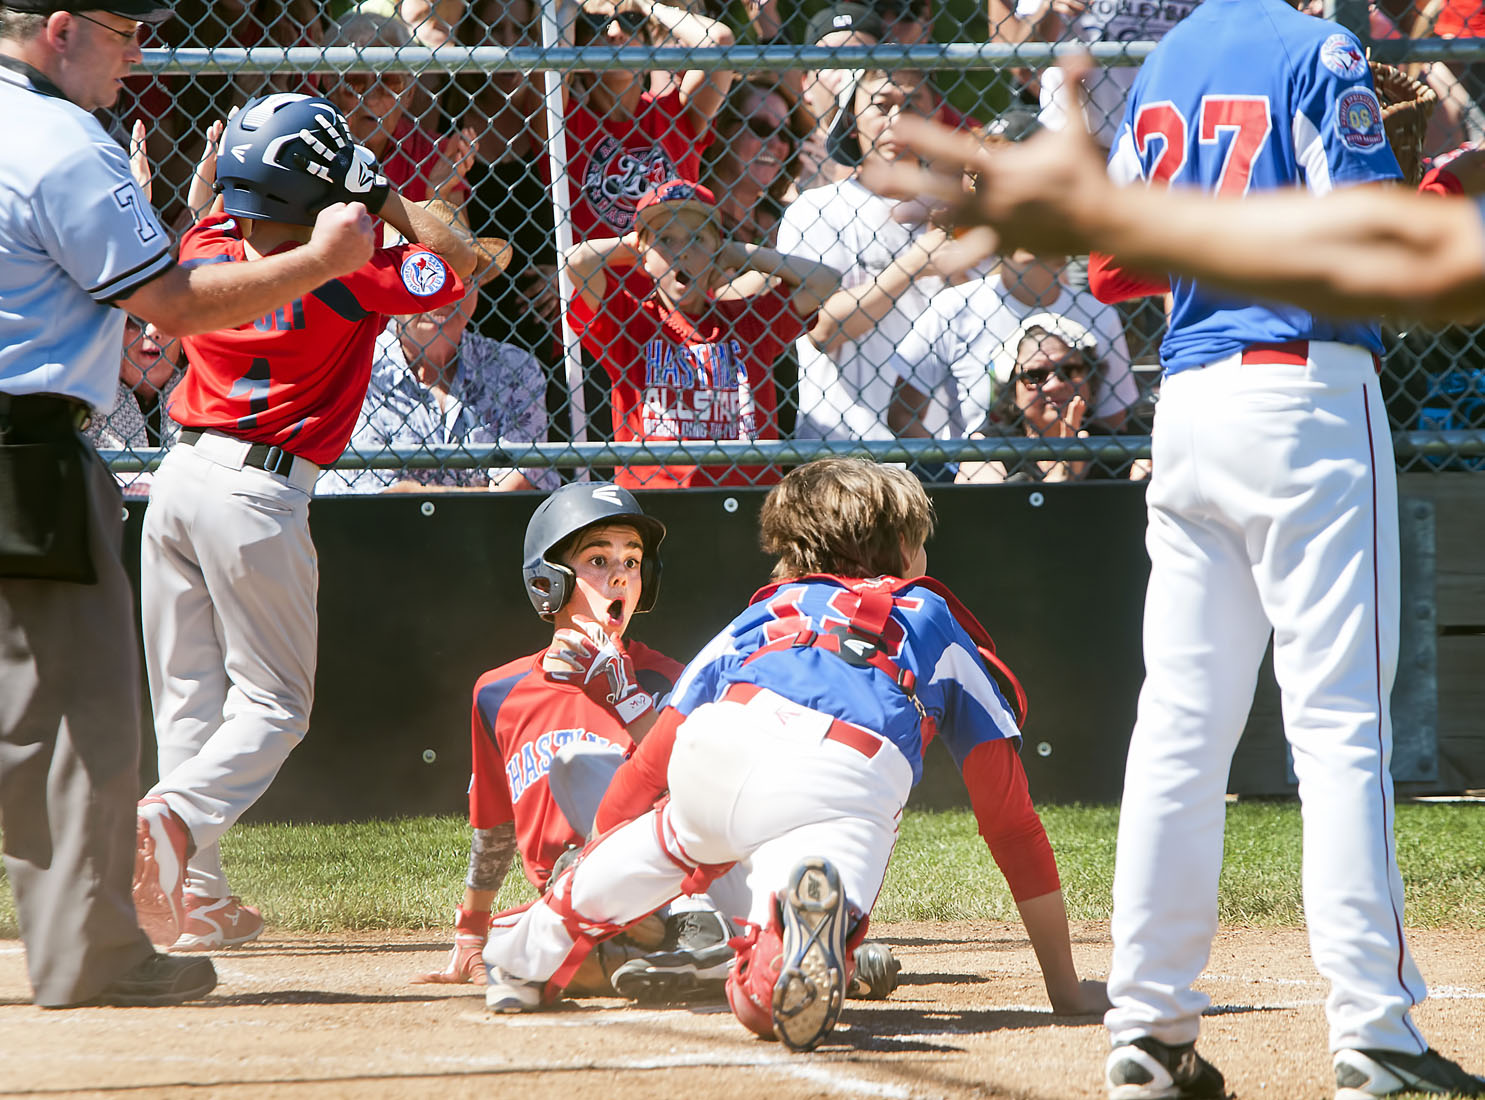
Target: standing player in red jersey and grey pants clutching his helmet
{"x": 228, "y": 566}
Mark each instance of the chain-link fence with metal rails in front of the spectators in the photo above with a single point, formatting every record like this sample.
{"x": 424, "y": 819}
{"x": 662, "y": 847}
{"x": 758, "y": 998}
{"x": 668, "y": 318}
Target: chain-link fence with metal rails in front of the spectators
{"x": 782, "y": 312}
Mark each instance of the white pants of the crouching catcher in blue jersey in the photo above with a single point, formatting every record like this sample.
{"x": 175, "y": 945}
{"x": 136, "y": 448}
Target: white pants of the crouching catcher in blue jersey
{"x": 749, "y": 782}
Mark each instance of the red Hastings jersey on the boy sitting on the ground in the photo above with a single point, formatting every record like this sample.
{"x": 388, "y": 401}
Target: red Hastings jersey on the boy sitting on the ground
{"x": 519, "y": 721}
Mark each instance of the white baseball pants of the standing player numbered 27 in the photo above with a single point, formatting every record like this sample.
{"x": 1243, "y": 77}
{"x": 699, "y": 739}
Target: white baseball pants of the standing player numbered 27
{"x": 1273, "y": 507}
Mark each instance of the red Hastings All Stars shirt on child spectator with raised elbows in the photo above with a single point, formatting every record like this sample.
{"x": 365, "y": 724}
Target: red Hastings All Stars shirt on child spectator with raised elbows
{"x": 690, "y": 378}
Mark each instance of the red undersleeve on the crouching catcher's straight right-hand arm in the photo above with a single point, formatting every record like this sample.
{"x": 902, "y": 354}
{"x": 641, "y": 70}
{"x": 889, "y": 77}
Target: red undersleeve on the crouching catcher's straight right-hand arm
{"x": 1008, "y": 820}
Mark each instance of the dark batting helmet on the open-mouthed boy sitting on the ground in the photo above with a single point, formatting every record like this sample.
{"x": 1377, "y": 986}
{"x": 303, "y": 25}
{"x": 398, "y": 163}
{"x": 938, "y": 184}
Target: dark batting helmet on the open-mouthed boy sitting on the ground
{"x": 568, "y": 511}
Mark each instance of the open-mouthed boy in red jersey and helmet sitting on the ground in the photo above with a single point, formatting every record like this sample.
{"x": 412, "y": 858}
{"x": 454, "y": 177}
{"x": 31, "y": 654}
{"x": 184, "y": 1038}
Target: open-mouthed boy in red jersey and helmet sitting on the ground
{"x": 547, "y": 737}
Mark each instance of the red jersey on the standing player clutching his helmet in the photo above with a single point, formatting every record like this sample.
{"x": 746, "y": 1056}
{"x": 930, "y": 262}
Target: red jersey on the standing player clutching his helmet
{"x": 296, "y": 378}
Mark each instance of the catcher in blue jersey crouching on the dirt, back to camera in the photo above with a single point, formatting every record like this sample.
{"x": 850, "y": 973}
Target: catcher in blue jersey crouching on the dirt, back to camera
{"x": 792, "y": 743}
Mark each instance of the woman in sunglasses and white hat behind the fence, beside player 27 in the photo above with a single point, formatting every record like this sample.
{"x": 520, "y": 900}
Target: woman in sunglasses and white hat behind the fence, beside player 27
{"x": 1054, "y": 385}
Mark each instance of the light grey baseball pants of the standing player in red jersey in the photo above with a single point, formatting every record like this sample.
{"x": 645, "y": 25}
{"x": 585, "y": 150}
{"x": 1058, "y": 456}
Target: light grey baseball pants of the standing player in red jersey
{"x": 228, "y": 586}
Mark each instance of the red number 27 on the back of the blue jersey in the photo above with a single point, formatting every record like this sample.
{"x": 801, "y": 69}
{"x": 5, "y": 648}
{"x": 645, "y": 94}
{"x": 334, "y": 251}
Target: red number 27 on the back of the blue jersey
{"x": 1244, "y": 120}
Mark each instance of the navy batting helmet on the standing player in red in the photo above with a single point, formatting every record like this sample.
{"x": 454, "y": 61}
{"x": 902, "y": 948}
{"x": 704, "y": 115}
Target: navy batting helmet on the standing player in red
{"x": 264, "y": 168}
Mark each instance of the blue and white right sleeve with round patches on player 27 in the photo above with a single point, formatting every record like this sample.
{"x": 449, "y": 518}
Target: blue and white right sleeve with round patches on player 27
{"x": 1339, "y": 121}
